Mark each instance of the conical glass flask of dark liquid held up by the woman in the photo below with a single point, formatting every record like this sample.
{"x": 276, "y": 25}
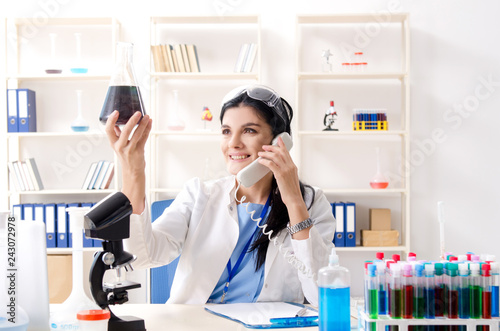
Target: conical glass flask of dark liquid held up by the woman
{"x": 123, "y": 92}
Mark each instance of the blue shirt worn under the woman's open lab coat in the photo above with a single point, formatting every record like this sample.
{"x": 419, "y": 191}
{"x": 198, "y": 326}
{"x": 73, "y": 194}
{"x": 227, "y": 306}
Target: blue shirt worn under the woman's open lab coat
{"x": 246, "y": 283}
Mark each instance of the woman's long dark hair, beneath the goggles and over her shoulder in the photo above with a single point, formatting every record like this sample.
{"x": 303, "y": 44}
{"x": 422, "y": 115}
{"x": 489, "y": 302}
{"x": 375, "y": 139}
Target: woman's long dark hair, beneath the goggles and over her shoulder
{"x": 278, "y": 216}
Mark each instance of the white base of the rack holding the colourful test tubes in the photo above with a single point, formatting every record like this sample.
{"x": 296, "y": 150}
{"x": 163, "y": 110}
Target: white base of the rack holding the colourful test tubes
{"x": 403, "y": 323}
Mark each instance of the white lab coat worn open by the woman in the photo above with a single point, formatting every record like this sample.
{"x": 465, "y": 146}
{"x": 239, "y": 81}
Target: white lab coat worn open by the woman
{"x": 202, "y": 224}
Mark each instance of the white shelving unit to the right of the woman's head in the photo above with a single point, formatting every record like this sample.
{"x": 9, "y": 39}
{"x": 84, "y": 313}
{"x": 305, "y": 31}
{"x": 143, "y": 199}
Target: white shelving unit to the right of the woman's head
{"x": 328, "y": 159}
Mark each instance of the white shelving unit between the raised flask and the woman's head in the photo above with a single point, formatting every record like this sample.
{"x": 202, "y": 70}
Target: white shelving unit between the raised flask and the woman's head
{"x": 218, "y": 41}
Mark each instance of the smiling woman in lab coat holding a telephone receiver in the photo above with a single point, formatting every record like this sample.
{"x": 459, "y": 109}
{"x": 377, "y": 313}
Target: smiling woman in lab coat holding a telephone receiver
{"x": 224, "y": 257}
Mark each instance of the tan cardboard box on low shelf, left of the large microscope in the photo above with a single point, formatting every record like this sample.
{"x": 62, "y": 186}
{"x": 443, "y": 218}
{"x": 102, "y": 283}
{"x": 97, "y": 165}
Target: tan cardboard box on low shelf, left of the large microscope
{"x": 60, "y": 271}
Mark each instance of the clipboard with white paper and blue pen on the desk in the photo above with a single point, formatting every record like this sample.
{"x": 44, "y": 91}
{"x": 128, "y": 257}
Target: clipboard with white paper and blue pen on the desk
{"x": 266, "y": 315}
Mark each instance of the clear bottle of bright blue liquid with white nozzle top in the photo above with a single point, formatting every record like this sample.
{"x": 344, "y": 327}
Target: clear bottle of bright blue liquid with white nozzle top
{"x": 334, "y": 296}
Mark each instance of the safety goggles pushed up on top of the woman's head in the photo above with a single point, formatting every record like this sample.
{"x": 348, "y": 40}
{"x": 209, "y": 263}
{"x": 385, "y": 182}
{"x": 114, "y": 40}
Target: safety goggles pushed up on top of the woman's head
{"x": 263, "y": 94}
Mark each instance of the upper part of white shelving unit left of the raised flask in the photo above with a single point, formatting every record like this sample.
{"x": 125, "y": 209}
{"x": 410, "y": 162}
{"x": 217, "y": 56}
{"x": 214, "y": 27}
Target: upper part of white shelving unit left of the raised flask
{"x": 54, "y": 146}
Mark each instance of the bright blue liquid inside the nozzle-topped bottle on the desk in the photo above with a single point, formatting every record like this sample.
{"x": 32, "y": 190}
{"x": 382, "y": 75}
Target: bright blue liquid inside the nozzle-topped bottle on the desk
{"x": 334, "y": 309}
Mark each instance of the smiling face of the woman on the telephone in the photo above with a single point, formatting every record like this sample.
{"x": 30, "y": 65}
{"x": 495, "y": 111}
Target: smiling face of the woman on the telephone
{"x": 243, "y": 134}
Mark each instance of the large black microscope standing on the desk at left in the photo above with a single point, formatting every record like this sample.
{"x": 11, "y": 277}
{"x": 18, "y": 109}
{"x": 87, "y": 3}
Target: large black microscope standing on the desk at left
{"x": 109, "y": 220}
